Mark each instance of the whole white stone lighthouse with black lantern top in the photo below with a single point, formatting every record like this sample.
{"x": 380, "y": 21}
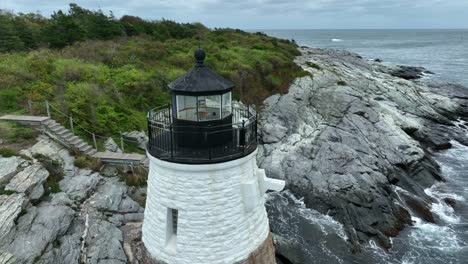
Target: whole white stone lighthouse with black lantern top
{"x": 205, "y": 200}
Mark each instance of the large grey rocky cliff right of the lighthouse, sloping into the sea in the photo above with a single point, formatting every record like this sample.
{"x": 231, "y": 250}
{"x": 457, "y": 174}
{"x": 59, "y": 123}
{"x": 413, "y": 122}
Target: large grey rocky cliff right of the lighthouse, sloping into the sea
{"x": 354, "y": 140}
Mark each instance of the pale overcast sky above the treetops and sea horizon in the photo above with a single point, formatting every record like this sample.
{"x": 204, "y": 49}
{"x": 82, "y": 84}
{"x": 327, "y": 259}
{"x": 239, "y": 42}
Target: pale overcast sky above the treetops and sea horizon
{"x": 277, "y": 14}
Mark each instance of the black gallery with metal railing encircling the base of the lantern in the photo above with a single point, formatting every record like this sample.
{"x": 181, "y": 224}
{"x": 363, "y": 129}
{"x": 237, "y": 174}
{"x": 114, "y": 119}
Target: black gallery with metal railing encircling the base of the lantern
{"x": 168, "y": 139}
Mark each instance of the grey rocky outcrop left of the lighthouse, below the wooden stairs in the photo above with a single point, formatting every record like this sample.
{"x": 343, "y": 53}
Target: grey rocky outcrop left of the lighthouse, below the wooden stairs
{"x": 79, "y": 221}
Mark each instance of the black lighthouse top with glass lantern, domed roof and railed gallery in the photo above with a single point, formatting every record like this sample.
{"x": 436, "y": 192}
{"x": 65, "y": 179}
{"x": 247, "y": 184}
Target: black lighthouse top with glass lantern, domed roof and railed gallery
{"x": 202, "y": 123}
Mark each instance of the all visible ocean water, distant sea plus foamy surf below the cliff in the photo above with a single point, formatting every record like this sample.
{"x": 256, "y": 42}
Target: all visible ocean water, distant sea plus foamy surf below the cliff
{"x": 444, "y": 52}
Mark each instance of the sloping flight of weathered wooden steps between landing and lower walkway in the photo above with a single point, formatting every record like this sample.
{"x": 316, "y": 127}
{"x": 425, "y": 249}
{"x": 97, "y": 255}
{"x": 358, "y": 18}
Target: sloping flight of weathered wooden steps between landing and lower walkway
{"x": 67, "y": 137}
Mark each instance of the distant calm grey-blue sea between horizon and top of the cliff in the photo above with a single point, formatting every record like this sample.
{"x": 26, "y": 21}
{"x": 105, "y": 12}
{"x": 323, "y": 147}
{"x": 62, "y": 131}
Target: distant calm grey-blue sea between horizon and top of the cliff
{"x": 444, "y": 52}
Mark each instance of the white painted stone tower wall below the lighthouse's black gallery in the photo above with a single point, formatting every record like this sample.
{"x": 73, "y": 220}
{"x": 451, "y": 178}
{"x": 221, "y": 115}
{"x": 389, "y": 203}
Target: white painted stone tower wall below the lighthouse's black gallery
{"x": 221, "y": 212}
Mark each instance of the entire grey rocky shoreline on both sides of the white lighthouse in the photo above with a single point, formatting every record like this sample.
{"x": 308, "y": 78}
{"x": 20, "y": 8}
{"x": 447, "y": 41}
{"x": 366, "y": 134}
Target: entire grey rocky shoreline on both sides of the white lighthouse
{"x": 354, "y": 141}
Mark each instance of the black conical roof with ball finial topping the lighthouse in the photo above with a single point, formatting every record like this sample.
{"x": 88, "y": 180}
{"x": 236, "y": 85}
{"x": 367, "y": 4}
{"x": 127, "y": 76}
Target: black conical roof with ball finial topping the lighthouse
{"x": 200, "y": 79}
